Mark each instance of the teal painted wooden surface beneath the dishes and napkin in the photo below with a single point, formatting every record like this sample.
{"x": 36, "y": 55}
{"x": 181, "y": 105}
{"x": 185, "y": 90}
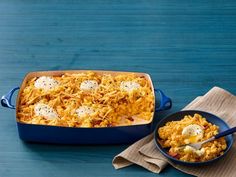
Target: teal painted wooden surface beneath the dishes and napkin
{"x": 187, "y": 47}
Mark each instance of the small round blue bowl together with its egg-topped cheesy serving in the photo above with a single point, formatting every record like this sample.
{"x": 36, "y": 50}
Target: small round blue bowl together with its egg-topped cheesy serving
{"x": 174, "y": 134}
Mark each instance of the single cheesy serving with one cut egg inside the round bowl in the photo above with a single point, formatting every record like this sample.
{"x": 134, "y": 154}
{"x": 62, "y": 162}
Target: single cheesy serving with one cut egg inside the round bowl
{"x": 191, "y": 129}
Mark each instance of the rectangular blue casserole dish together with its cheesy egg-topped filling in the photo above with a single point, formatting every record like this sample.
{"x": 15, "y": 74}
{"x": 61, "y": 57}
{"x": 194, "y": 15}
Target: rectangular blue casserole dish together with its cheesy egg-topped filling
{"x": 117, "y": 107}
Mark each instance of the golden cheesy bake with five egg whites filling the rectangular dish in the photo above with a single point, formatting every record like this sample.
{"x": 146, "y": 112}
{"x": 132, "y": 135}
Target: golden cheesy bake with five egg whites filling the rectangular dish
{"x": 87, "y": 99}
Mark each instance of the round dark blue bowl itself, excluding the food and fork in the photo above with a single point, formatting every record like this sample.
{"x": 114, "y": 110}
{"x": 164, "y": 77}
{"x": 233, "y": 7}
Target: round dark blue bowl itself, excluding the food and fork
{"x": 180, "y": 115}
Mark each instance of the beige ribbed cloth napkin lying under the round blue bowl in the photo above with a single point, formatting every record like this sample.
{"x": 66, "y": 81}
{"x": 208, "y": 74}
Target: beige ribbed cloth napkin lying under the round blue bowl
{"x": 144, "y": 152}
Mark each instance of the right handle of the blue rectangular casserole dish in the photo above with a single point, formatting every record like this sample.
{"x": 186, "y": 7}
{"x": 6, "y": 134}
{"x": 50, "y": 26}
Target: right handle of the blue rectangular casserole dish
{"x": 165, "y": 102}
